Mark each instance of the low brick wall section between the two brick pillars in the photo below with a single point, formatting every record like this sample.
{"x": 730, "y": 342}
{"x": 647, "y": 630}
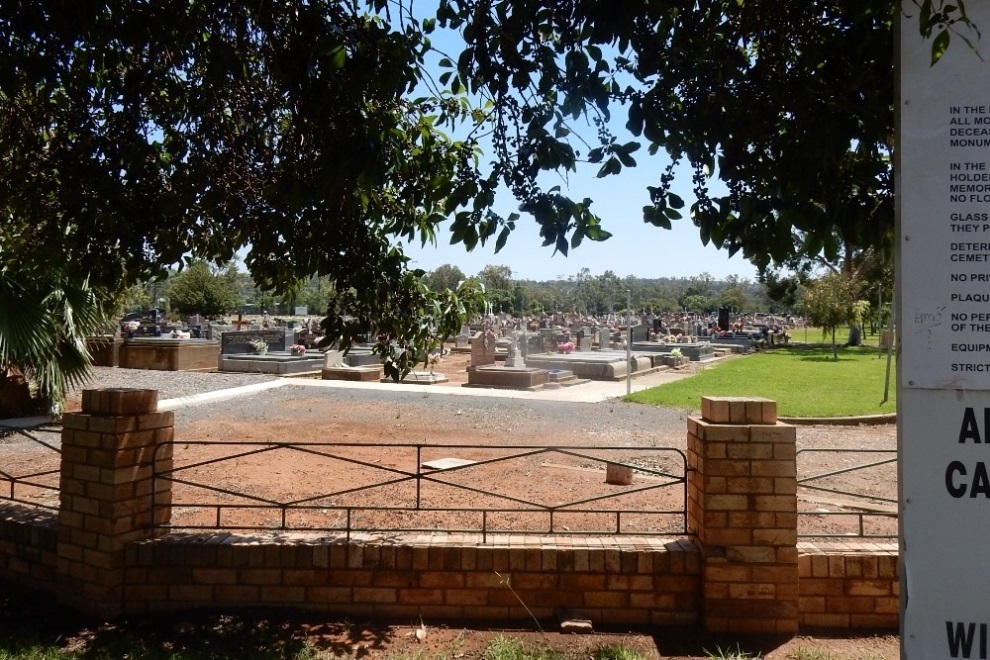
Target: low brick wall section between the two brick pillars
{"x": 612, "y": 581}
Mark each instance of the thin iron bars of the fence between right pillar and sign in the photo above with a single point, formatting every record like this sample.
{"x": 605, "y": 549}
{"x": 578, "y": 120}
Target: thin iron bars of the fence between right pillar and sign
{"x": 861, "y": 515}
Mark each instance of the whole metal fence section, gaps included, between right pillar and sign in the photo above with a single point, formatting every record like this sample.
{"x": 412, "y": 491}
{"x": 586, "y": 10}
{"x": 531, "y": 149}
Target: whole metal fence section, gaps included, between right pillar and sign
{"x": 865, "y": 513}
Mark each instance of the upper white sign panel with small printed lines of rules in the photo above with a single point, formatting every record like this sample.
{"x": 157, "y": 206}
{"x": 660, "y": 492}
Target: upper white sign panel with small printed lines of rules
{"x": 945, "y": 202}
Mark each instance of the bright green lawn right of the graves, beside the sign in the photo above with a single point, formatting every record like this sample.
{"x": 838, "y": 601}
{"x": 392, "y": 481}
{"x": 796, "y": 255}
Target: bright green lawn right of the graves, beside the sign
{"x": 804, "y": 381}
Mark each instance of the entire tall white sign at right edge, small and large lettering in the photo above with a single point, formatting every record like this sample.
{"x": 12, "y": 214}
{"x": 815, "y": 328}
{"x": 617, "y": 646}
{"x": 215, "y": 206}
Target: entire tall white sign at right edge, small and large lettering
{"x": 943, "y": 189}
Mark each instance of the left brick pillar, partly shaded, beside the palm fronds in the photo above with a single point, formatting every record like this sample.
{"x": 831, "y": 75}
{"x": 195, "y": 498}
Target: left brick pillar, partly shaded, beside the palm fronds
{"x": 107, "y": 452}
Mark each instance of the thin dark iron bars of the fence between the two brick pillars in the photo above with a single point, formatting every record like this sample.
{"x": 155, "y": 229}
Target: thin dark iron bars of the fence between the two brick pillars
{"x": 418, "y": 477}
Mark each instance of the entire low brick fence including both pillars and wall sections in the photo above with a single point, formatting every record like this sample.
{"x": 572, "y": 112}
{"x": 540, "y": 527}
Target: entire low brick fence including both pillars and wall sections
{"x": 741, "y": 569}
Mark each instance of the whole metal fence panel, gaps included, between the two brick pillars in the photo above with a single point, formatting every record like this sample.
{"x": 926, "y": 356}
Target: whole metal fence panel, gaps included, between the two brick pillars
{"x": 386, "y": 488}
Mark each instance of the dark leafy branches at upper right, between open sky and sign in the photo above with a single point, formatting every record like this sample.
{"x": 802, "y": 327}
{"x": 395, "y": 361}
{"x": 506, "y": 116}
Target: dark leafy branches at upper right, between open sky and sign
{"x": 789, "y": 107}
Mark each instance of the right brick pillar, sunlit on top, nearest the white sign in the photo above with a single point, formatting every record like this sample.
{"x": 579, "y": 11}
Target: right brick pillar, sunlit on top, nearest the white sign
{"x": 742, "y": 509}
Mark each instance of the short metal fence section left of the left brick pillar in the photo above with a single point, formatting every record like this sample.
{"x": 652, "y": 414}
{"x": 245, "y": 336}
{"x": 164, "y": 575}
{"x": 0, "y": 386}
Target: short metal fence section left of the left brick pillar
{"x": 34, "y": 486}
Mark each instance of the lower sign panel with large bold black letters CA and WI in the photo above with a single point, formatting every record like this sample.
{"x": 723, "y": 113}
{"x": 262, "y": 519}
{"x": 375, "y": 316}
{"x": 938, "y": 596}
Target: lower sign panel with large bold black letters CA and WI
{"x": 945, "y": 511}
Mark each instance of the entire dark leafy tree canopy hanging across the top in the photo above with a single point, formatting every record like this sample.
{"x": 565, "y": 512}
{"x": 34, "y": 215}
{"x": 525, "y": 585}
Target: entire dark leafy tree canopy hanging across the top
{"x": 134, "y": 136}
